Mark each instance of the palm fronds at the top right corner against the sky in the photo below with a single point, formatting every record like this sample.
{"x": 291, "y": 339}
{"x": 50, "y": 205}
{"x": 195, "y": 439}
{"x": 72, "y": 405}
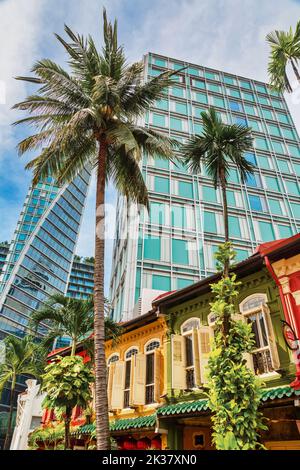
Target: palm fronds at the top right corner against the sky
{"x": 285, "y": 49}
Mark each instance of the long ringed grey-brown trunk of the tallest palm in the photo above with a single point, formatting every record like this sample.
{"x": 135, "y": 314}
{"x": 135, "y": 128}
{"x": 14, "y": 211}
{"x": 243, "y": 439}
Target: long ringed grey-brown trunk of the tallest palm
{"x": 101, "y": 404}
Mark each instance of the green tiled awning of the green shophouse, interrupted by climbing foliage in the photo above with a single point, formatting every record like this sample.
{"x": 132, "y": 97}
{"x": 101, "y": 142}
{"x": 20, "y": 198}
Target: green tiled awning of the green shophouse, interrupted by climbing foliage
{"x": 202, "y": 405}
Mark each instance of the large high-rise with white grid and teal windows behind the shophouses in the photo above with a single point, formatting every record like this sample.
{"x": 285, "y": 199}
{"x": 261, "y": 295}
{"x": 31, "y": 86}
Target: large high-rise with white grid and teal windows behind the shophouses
{"x": 173, "y": 245}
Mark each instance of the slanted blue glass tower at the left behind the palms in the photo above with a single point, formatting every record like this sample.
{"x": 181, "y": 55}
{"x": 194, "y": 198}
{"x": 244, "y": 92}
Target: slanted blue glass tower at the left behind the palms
{"x": 41, "y": 253}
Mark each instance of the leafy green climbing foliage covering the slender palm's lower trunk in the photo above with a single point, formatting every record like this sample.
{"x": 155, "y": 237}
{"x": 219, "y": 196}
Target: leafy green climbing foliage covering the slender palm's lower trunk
{"x": 234, "y": 392}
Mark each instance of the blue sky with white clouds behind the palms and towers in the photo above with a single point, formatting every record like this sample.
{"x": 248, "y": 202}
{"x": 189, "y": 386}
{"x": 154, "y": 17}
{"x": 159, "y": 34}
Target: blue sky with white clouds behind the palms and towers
{"x": 225, "y": 34}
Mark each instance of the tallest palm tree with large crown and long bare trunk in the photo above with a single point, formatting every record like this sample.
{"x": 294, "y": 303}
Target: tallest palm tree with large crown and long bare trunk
{"x": 89, "y": 116}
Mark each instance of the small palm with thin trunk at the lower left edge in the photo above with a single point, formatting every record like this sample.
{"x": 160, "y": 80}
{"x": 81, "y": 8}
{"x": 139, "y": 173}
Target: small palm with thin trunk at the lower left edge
{"x": 22, "y": 357}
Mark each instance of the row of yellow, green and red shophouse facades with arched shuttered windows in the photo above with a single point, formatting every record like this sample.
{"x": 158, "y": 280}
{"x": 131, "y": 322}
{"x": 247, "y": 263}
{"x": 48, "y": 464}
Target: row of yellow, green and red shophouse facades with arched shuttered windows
{"x": 157, "y": 370}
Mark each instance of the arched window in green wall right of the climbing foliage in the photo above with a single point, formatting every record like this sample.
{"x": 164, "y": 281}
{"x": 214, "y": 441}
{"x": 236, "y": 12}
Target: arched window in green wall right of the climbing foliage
{"x": 264, "y": 355}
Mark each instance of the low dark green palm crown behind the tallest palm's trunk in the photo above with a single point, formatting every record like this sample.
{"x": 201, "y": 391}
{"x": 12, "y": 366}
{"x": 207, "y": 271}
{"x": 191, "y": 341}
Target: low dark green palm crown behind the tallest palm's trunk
{"x": 73, "y": 318}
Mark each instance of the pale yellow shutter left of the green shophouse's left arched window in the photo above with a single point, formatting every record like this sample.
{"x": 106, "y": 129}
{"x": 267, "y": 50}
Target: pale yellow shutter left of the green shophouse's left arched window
{"x": 178, "y": 362}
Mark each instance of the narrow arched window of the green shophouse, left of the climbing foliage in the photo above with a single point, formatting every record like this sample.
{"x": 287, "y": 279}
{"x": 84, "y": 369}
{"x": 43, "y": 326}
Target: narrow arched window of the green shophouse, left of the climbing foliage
{"x": 187, "y": 331}
